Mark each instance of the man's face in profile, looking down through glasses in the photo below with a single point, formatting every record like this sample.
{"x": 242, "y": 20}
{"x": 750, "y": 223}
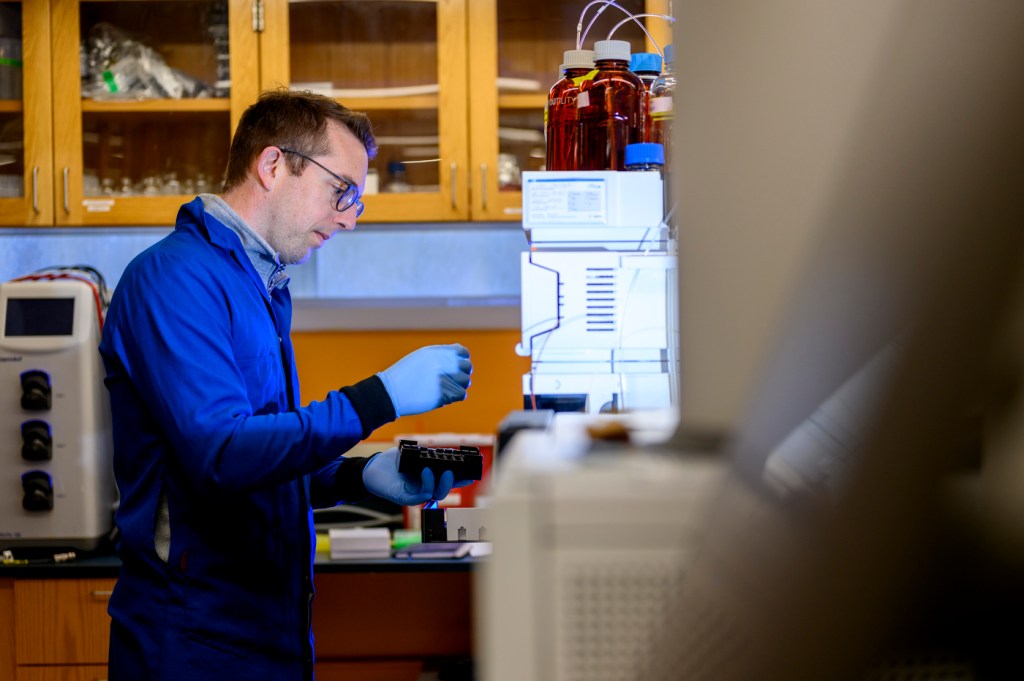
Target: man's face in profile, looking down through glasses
{"x": 305, "y": 217}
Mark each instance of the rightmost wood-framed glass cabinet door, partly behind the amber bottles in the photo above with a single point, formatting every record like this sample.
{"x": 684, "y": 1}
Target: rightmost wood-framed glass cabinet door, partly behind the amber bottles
{"x": 514, "y": 66}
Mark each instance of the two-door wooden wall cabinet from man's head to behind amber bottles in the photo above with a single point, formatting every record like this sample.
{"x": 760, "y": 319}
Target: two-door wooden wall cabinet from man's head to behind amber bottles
{"x": 456, "y": 90}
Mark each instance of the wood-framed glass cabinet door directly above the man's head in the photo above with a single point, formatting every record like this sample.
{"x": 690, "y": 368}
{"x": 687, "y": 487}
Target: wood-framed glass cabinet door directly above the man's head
{"x": 402, "y": 63}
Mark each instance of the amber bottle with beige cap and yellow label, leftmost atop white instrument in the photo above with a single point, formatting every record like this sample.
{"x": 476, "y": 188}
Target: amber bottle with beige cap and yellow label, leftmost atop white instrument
{"x": 562, "y": 119}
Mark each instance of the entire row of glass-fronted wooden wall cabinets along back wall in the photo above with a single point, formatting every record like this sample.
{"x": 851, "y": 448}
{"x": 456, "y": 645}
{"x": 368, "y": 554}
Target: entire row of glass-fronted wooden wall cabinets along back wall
{"x": 456, "y": 91}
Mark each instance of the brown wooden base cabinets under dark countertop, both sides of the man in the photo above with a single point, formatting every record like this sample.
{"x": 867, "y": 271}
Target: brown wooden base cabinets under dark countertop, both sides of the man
{"x": 368, "y": 618}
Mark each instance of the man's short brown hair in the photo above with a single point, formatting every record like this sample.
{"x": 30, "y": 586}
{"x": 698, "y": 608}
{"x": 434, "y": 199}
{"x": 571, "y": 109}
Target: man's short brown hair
{"x": 294, "y": 119}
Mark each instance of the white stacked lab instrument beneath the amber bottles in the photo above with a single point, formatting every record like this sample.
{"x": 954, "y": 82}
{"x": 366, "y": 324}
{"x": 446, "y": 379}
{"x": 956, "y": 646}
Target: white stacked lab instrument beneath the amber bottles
{"x": 599, "y": 292}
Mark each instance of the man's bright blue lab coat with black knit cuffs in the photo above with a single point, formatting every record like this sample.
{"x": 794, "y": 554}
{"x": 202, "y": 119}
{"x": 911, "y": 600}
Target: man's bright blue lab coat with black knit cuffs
{"x": 205, "y": 397}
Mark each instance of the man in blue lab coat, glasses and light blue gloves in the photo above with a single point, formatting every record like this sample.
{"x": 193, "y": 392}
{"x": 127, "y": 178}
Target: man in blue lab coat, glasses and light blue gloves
{"x": 218, "y": 464}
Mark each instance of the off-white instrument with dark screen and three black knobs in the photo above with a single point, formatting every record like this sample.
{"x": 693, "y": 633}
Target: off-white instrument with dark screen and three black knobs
{"x": 55, "y": 417}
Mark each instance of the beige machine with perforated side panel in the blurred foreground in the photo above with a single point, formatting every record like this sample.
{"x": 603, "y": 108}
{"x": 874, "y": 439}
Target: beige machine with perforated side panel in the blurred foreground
{"x": 591, "y": 549}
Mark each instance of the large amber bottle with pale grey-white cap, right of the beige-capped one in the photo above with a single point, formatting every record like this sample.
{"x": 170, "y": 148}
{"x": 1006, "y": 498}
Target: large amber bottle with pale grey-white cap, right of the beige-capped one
{"x": 611, "y": 108}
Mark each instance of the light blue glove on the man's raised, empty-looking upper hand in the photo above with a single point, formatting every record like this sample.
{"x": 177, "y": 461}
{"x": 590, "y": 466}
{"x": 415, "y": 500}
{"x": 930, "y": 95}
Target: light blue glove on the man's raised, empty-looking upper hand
{"x": 429, "y": 378}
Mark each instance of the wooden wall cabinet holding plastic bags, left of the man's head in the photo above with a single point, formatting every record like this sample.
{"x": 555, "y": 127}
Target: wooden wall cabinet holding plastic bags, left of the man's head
{"x": 113, "y": 155}
